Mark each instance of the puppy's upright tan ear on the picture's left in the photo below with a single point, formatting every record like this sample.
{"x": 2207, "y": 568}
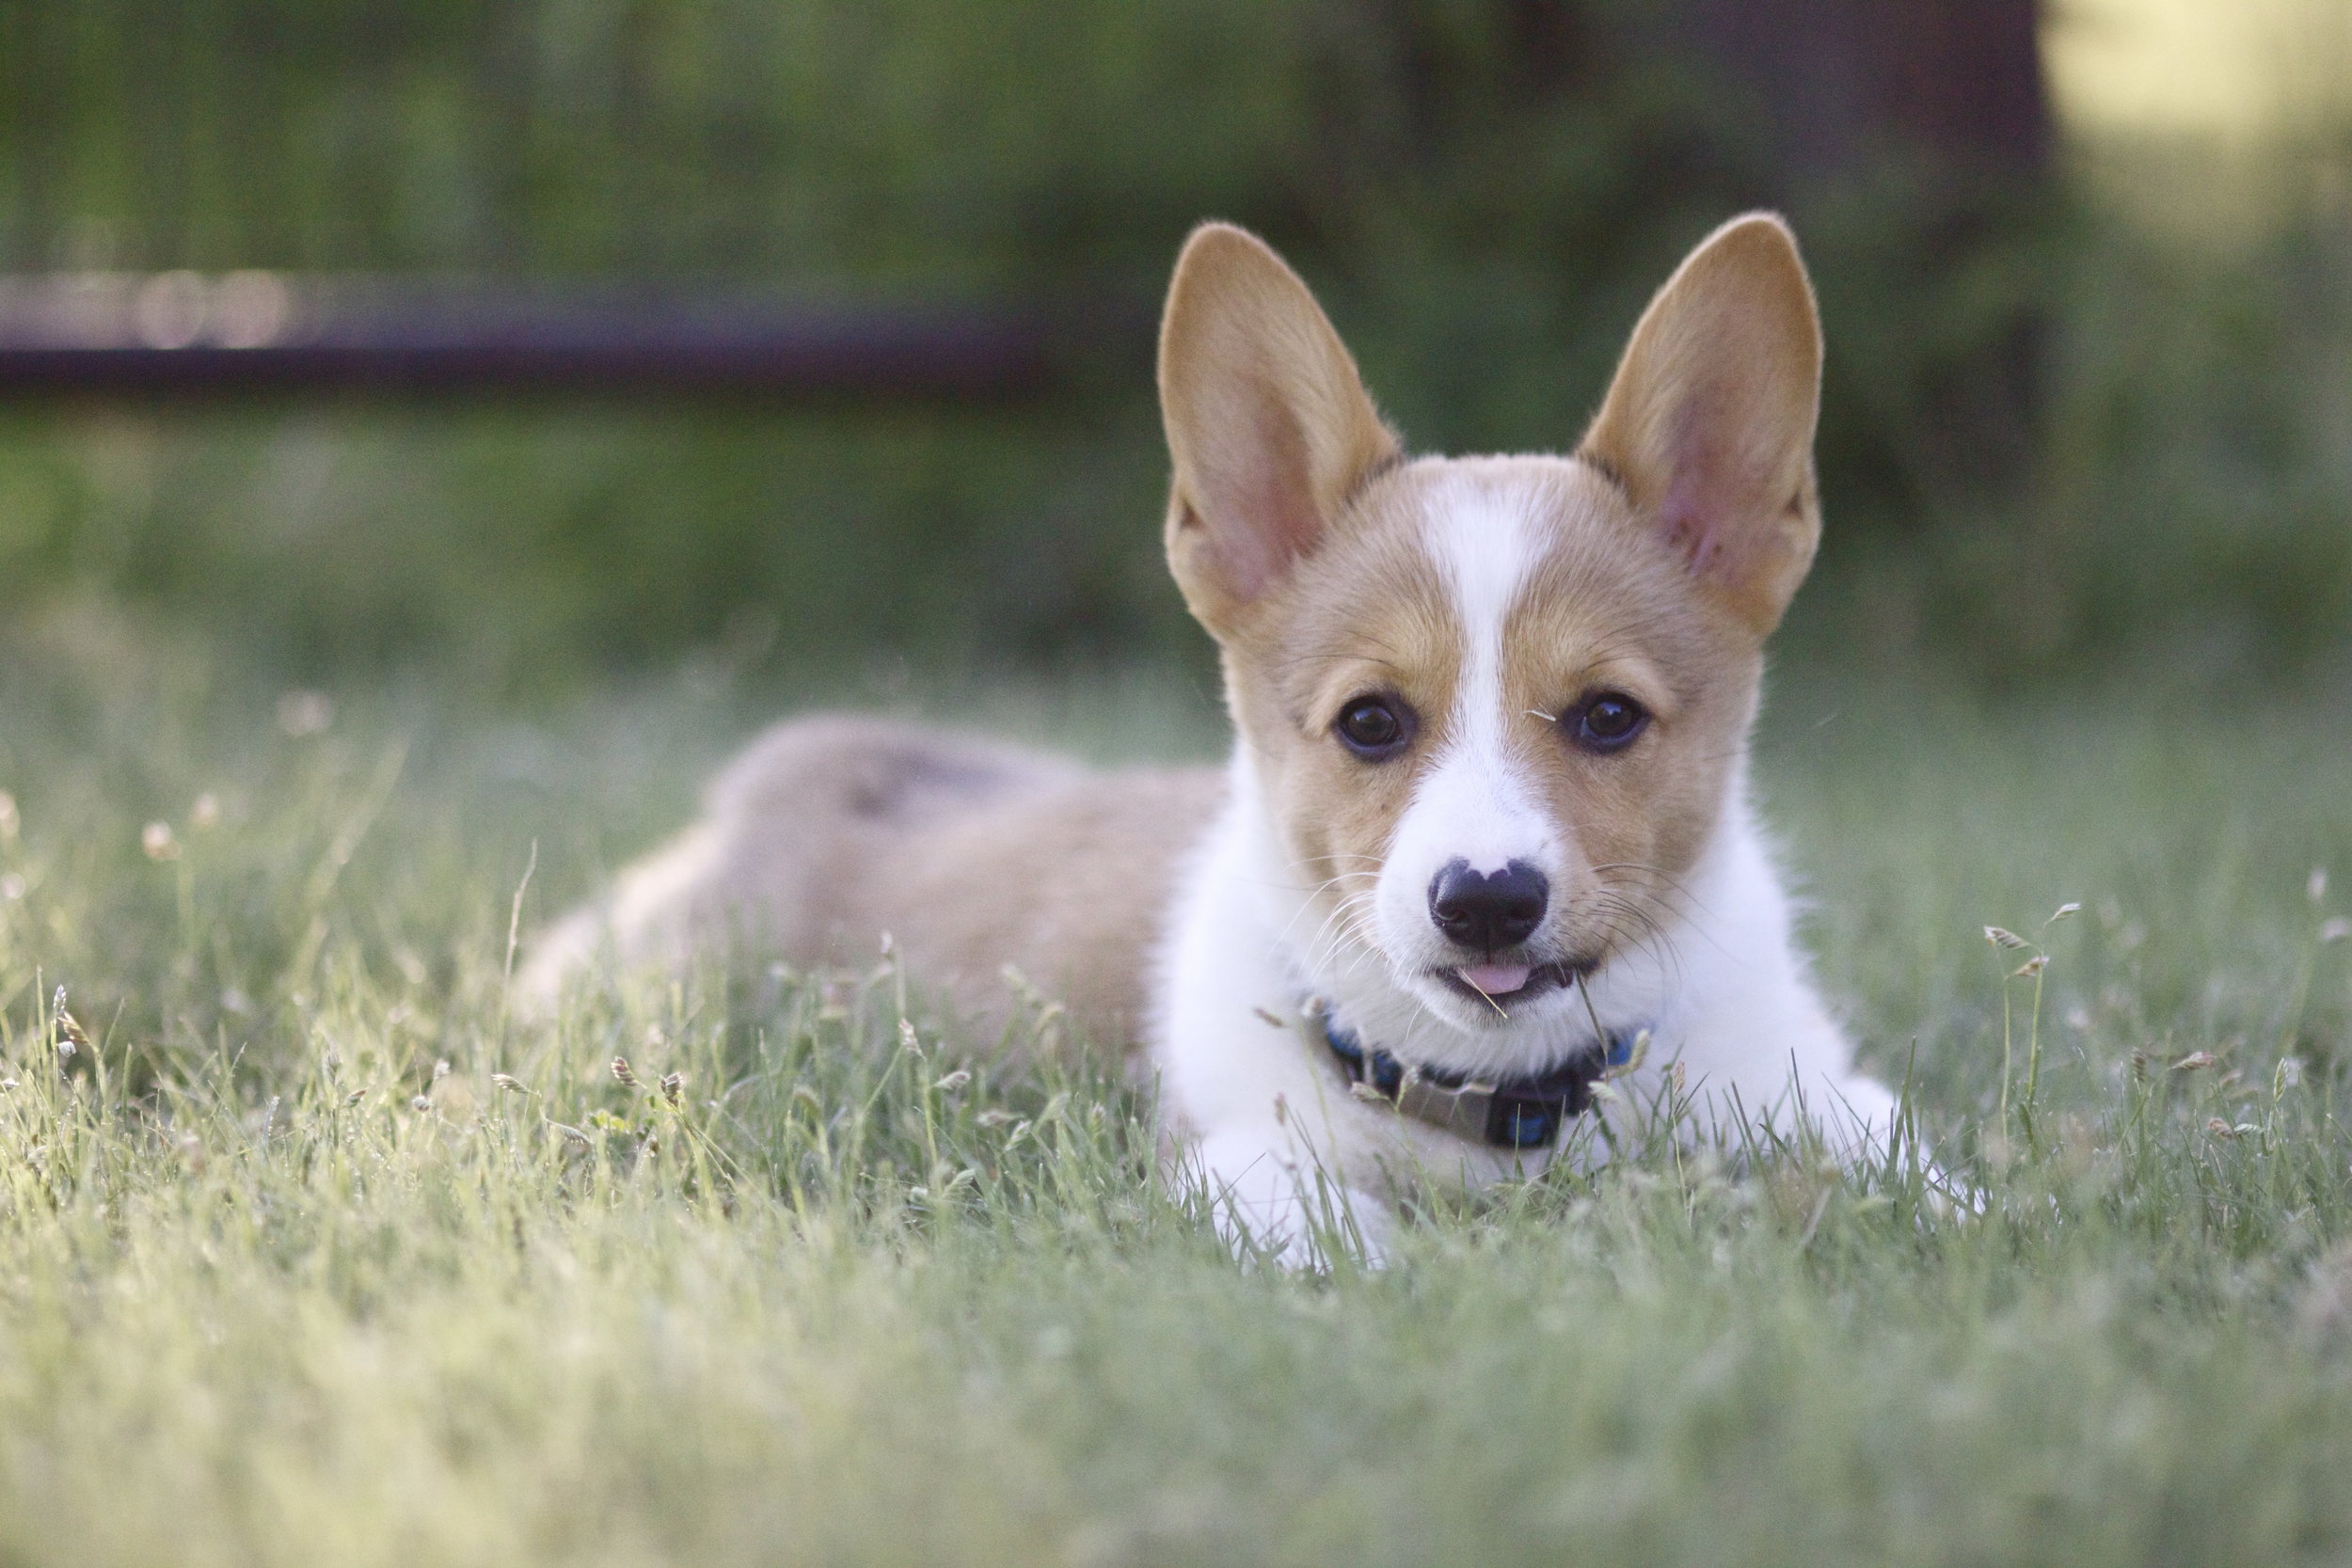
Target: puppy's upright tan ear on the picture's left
{"x": 1267, "y": 417}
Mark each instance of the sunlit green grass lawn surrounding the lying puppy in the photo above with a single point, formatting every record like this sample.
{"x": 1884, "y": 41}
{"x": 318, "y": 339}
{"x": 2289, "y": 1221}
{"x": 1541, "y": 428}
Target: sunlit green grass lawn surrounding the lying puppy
{"x": 279, "y": 1289}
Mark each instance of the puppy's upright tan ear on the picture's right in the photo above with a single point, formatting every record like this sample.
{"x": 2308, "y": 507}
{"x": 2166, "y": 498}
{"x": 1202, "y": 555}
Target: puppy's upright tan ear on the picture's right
{"x": 1711, "y": 417}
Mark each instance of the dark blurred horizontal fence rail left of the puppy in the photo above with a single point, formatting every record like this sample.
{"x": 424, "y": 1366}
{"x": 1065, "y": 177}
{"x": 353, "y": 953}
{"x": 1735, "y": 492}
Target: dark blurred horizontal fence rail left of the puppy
{"x": 187, "y": 335}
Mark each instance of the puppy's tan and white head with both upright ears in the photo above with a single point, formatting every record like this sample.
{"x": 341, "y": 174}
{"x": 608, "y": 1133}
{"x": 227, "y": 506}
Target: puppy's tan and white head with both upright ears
{"x": 1495, "y": 706}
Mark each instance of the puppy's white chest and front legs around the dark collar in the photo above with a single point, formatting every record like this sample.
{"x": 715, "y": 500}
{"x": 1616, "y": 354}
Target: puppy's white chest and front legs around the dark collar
{"x": 1283, "y": 1146}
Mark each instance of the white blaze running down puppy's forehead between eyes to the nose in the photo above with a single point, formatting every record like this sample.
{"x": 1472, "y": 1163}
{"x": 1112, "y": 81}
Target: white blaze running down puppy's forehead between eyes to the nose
{"x": 1474, "y": 805}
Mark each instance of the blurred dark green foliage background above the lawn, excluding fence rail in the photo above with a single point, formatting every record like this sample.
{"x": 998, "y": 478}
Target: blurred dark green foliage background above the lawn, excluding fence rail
{"x": 2090, "y": 309}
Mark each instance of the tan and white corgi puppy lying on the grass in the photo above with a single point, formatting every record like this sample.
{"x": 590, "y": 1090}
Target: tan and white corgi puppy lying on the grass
{"x": 1485, "y": 836}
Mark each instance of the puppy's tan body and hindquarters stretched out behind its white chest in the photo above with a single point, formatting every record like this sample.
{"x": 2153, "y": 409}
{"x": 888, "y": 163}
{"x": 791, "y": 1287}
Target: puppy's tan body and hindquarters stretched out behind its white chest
{"x": 970, "y": 855}
